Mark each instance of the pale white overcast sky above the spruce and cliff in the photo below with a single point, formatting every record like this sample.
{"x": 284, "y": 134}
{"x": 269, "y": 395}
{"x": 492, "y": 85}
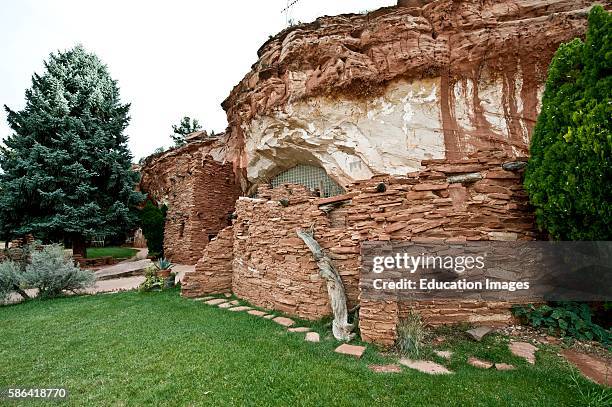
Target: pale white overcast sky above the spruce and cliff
{"x": 172, "y": 58}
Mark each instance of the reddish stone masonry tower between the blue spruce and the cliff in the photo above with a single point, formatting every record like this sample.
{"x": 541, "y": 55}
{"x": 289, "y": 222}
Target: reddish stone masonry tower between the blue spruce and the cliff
{"x": 200, "y": 193}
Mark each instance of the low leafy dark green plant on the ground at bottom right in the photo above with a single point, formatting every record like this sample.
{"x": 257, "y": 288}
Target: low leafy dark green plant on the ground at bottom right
{"x": 564, "y": 319}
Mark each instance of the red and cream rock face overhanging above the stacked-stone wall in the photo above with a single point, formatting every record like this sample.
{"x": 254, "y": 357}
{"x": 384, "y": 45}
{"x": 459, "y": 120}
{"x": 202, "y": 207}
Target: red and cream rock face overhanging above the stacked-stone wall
{"x": 377, "y": 93}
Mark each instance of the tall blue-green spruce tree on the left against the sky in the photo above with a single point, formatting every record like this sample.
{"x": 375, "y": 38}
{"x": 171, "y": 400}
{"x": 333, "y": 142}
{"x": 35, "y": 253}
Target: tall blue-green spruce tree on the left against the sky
{"x": 67, "y": 168}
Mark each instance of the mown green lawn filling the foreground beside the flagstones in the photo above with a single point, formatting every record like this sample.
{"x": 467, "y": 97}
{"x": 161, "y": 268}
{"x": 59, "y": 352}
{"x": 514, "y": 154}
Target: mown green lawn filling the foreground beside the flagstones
{"x": 160, "y": 349}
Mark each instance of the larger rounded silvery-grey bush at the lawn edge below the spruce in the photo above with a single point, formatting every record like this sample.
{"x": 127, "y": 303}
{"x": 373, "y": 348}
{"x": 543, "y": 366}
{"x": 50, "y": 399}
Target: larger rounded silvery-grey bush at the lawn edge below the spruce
{"x": 52, "y": 272}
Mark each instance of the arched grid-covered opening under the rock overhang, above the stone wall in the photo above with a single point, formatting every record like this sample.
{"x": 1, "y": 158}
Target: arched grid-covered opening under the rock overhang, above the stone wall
{"x": 314, "y": 178}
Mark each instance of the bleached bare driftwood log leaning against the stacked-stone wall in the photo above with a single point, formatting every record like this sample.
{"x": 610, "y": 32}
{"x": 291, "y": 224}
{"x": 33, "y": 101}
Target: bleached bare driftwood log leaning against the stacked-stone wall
{"x": 341, "y": 329}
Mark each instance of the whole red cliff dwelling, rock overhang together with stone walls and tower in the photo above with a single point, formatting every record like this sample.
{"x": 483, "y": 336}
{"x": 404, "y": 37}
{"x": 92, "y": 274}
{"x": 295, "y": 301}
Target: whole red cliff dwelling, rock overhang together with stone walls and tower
{"x": 433, "y": 99}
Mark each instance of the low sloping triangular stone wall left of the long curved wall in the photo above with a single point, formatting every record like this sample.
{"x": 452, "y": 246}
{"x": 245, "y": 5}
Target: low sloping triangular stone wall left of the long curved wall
{"x": 213, "y": 272}
